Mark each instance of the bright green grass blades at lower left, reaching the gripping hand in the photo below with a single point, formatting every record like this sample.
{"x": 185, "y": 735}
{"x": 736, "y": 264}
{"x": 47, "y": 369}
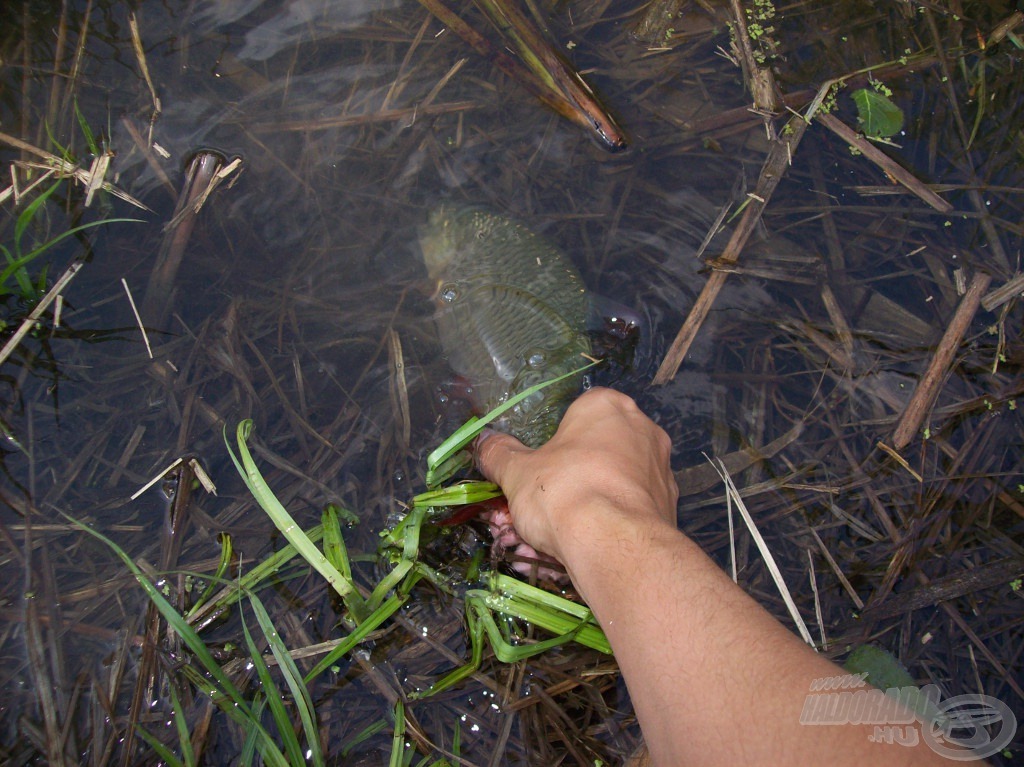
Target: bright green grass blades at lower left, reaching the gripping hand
{"x": 285, "y": 696}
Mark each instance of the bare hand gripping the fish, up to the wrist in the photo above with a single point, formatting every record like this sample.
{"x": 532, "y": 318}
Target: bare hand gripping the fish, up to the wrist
{"x": 607, "y": 461}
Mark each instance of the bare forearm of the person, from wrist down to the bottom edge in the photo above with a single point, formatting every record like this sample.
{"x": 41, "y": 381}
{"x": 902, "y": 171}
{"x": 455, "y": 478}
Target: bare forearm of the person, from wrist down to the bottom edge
{"x": 715, "y": 679}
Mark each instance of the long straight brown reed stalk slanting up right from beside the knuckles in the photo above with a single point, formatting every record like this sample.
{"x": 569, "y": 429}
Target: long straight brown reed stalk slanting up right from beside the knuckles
{"x": 780, "y": 157}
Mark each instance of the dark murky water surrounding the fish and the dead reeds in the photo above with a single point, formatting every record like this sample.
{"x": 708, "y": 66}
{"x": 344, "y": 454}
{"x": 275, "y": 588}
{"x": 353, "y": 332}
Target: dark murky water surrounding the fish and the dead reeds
{"x": 295, "y": 275}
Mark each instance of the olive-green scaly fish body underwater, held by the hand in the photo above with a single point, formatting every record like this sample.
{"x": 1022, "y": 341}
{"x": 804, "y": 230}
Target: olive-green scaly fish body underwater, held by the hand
{"x": 511, "y": 313}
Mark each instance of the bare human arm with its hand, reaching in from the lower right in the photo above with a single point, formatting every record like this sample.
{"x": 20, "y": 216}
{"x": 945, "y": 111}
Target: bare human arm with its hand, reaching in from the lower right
{"x": 714, "y": 678}
